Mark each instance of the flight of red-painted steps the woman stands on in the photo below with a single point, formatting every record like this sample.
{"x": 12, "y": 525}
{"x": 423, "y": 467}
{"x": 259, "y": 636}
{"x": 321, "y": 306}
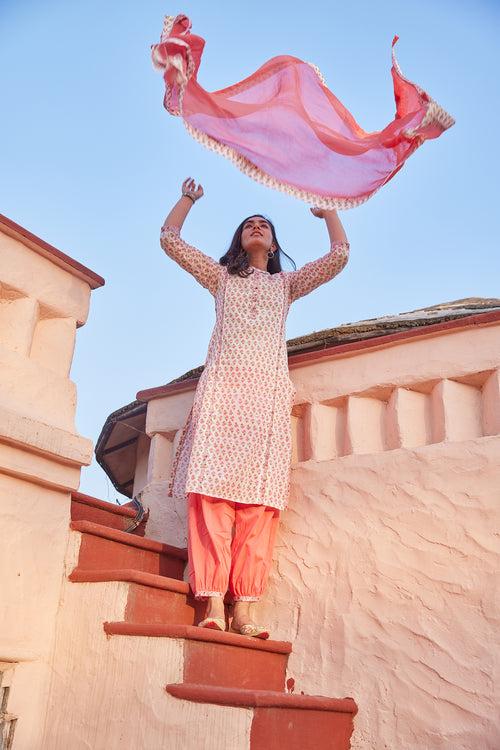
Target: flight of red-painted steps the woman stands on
{"x": 219, "y": 667}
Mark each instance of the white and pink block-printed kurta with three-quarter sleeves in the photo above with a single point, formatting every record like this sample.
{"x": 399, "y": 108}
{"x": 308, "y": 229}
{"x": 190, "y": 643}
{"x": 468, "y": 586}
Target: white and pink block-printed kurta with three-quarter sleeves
{"x": 236, "y": 442}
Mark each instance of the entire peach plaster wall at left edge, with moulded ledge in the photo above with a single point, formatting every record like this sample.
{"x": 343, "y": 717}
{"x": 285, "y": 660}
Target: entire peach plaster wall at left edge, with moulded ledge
{"x": 40, "y": 460}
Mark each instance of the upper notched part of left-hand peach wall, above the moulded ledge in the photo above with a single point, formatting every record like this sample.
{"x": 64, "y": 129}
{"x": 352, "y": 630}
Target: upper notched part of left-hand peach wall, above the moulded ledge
{"x": 40, "y": 304}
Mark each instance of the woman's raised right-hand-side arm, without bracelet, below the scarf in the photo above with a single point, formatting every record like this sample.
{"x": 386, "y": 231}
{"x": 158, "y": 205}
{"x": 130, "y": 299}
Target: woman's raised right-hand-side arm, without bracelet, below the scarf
{"x": 319, "y": 271}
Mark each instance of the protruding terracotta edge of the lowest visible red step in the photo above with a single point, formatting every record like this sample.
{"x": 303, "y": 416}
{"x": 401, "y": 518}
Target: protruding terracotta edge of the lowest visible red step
{"x": 260, "y": 698}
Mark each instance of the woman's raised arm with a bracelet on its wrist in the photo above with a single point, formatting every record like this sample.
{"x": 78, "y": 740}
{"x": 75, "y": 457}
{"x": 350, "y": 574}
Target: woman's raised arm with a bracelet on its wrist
{"x": 205, "y": 270}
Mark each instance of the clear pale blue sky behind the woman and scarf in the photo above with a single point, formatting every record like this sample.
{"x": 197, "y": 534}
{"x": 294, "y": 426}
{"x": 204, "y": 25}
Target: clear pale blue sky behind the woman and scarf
{"x": 91, "y": 162}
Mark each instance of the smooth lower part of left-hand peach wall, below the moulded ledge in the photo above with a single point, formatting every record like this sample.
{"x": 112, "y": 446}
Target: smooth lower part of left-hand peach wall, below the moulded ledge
{"x": 34, "y": 537}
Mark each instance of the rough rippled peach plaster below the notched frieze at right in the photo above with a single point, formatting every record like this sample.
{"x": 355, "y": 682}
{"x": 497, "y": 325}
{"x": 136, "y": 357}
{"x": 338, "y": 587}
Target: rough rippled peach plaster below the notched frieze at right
{"x": 386, "y": 579}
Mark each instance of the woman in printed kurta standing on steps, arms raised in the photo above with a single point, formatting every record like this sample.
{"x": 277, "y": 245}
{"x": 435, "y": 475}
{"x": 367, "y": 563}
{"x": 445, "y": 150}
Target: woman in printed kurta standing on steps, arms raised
{"x": 233, "y": 457}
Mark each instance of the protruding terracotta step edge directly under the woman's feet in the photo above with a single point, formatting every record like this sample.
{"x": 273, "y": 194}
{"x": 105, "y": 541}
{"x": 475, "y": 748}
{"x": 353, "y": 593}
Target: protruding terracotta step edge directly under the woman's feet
{"x": 194, "y": 633}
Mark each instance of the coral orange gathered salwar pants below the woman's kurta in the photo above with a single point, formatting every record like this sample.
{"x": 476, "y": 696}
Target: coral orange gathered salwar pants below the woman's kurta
{"x": 230, "y": 546}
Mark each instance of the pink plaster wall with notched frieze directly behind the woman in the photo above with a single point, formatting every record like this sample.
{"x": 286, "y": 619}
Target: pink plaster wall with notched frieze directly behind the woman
{"x": 385, "y": 567}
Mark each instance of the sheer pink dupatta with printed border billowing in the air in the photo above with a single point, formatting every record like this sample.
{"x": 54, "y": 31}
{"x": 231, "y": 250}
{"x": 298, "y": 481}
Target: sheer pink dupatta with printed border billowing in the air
{"x": 284, "y": 128}
